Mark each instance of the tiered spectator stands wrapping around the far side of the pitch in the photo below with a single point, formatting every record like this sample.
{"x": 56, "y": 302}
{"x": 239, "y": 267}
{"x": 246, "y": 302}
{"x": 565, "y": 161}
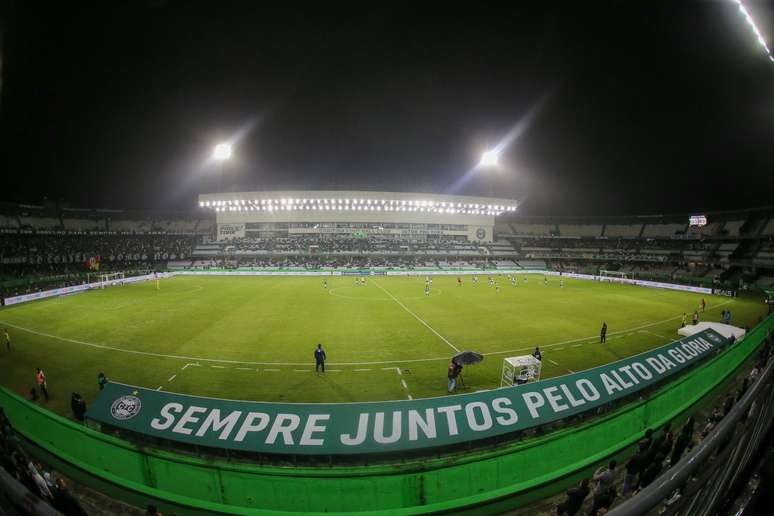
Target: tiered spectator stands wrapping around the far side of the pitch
{"x": 38, "y": 242}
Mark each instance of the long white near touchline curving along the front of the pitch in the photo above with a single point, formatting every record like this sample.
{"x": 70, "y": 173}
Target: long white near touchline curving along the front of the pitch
{"x": 408, "y": 361}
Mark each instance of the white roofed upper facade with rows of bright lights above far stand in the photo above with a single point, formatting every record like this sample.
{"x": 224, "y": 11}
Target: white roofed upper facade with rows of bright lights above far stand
{"x": 388, "y": 215}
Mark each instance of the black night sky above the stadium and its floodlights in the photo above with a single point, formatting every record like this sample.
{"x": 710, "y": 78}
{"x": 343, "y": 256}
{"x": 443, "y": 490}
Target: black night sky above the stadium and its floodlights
{"x": 634, "y": 107}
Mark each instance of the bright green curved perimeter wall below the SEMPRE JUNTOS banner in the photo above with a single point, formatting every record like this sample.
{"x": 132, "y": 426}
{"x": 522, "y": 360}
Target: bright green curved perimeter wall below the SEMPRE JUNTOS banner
{"x": 484, "y": 481}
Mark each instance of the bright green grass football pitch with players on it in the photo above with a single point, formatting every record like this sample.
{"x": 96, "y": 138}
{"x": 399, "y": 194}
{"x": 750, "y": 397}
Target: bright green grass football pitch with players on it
{"x": 253, "y": 337}
